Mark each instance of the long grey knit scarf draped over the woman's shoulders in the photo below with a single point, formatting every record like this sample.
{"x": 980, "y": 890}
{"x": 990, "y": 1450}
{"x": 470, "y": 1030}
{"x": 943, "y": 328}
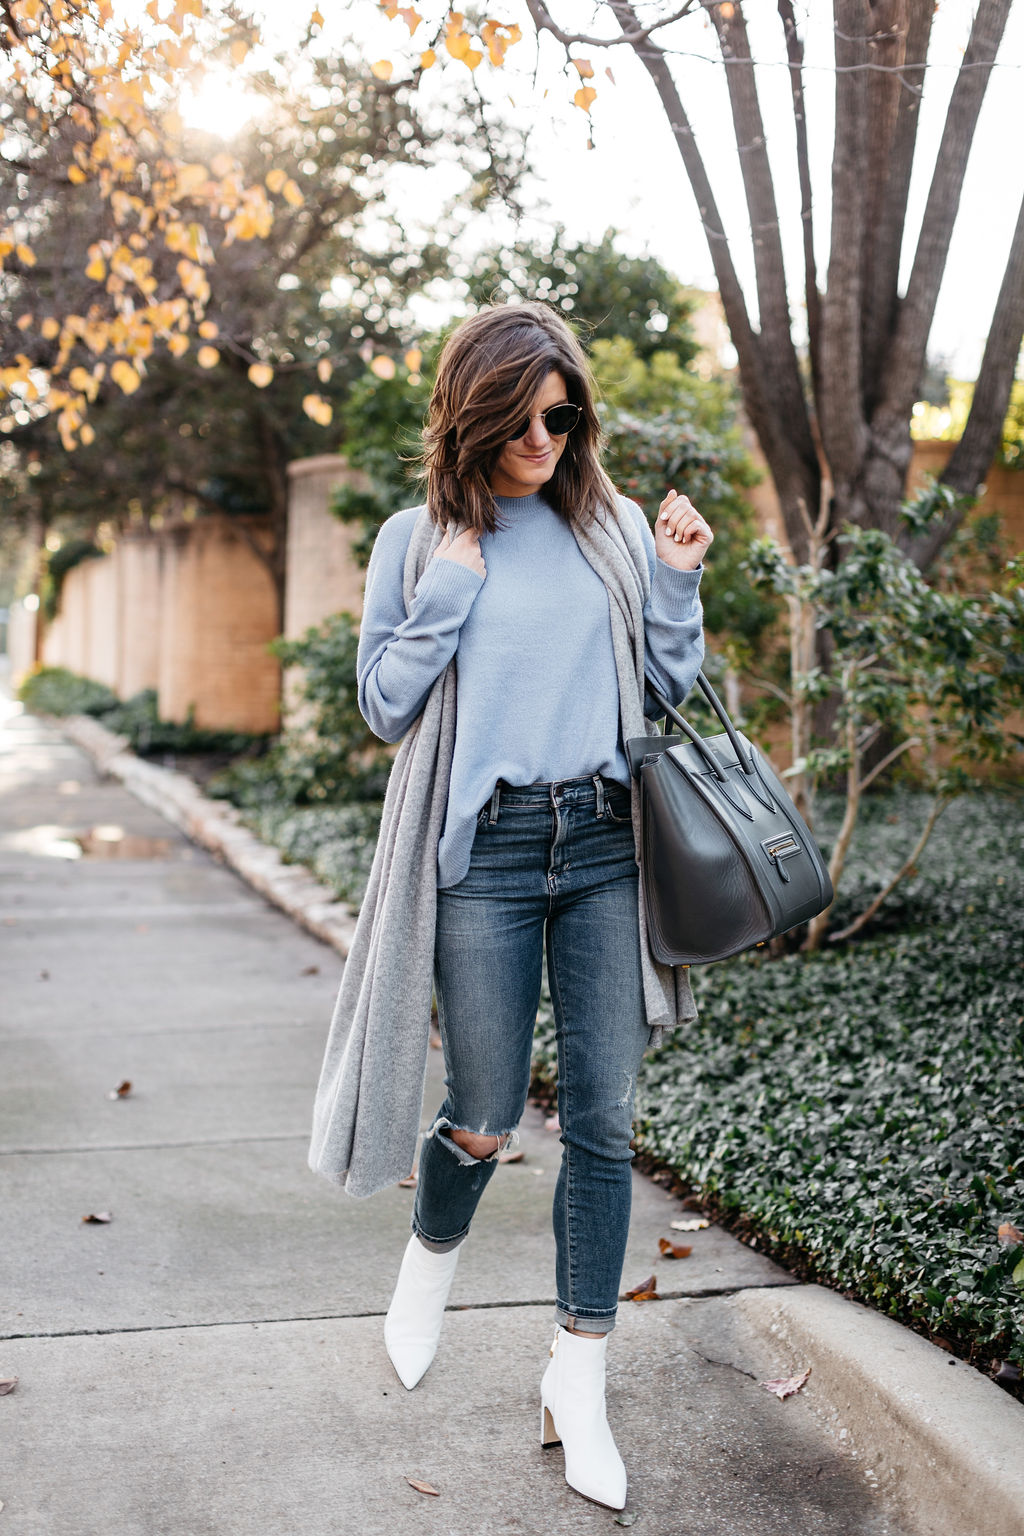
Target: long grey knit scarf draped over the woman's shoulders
{"x": 366, "y": 1117}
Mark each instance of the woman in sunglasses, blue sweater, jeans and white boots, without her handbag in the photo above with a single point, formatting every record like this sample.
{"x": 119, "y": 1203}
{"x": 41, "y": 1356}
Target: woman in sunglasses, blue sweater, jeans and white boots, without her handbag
{"x": 506, "y": 635}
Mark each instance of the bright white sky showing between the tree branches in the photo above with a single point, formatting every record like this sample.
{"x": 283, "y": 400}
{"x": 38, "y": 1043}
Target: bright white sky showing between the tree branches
{"x": 633, "y": 179}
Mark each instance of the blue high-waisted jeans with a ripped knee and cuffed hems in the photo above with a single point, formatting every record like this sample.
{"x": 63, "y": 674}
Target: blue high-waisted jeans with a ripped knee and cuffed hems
{"x": 557, "y": 859}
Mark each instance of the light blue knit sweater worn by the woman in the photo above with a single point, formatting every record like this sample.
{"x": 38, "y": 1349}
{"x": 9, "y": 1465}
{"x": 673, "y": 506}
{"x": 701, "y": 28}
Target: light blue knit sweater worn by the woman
{"x": 538, "y": 697}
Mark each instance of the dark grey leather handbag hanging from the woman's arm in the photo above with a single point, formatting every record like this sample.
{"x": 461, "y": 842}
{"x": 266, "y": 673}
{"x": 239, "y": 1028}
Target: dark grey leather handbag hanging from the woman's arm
{"x": 727, "y": 859}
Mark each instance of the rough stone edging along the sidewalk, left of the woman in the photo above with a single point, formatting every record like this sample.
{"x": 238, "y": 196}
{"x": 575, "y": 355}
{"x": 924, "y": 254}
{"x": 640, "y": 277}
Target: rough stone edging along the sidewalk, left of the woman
{"x": 217, "y": 826}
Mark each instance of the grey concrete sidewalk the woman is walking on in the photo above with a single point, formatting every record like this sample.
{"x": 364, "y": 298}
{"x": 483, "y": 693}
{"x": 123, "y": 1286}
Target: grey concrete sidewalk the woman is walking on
{"x": 210, "y": 1363}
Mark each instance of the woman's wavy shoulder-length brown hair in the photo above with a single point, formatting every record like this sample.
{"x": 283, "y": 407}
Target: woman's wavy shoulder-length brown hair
{"x": 489, "y": 376}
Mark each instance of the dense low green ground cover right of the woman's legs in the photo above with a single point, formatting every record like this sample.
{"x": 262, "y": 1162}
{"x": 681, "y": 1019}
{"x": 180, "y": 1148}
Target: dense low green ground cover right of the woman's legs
{"x": 860, "y": 1113}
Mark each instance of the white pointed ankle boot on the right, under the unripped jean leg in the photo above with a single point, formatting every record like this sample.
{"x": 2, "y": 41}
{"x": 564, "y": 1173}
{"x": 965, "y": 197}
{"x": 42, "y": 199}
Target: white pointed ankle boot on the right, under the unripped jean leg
{"x": 573, "y": 1412}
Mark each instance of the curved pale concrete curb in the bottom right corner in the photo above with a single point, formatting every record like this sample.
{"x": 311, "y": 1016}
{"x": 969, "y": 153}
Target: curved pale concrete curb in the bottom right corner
{"x": 933, "y": 1434}
